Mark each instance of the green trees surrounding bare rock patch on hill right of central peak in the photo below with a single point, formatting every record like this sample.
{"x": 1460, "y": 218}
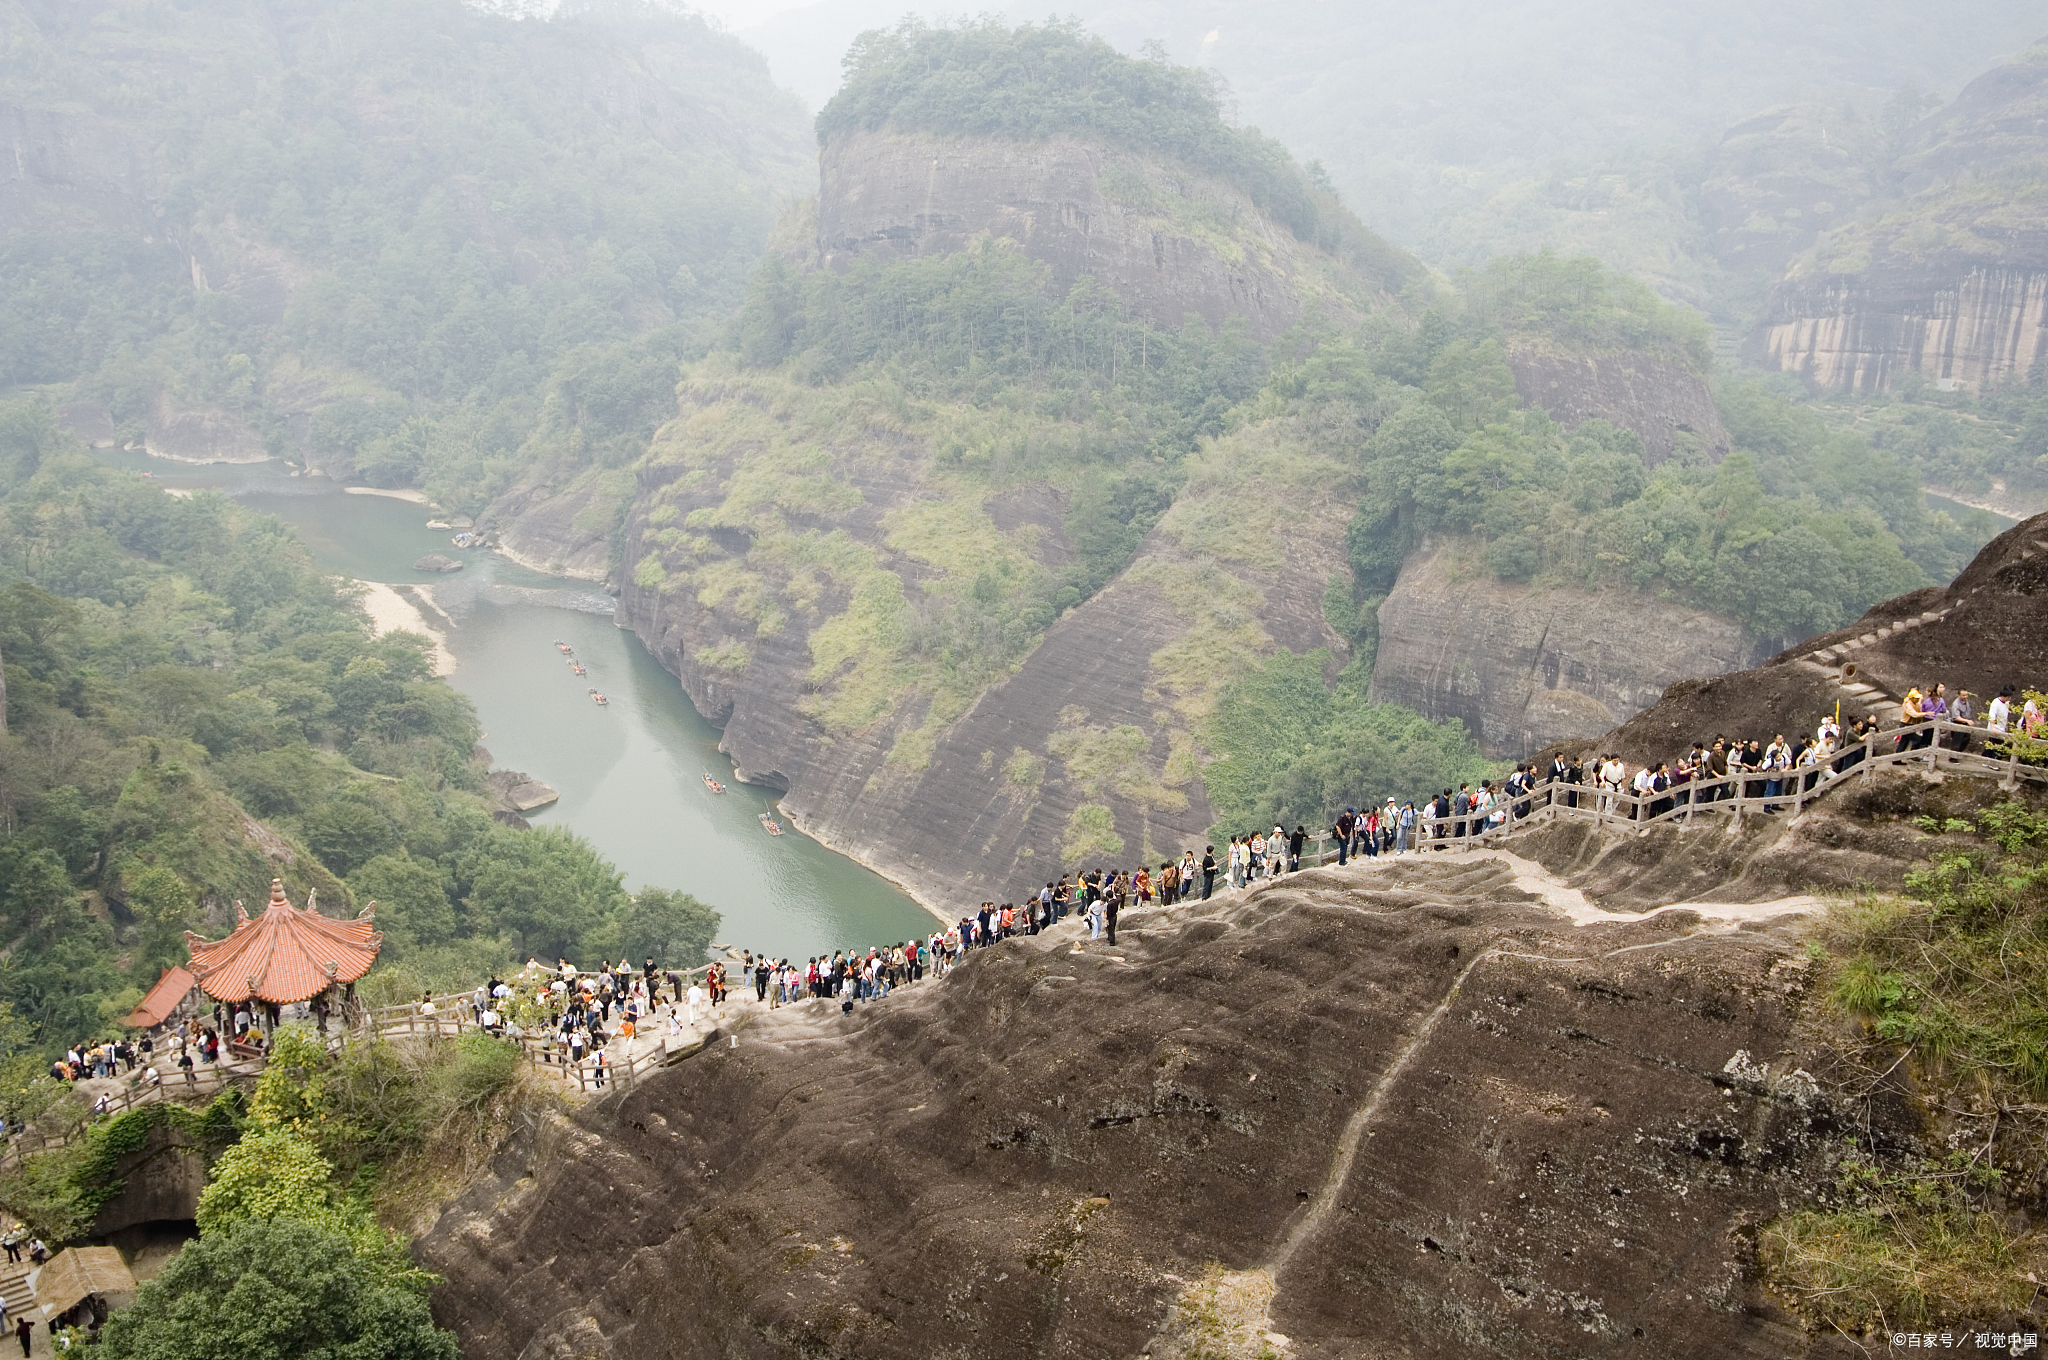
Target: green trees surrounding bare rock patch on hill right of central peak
{"x": 1799, "y": 532}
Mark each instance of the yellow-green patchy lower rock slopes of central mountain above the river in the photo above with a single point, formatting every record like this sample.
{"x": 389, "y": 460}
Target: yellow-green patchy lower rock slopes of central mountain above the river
{"x": 812, "y": 603}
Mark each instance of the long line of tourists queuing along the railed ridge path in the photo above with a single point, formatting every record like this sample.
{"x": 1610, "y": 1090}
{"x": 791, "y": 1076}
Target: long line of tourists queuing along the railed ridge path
{"x": 579, "y": 1017}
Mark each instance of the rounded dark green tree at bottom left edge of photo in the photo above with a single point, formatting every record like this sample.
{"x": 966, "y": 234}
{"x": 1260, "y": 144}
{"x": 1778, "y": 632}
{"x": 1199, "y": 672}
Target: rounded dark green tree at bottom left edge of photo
{"x": 275, "y": 1289}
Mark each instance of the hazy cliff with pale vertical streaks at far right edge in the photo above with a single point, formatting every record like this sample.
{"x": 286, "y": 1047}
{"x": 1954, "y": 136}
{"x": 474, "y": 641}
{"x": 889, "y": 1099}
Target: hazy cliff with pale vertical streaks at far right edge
{"x": 1953, "y": 280}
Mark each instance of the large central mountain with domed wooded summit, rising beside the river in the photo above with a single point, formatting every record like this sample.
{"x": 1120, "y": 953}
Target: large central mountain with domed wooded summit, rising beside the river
{"x": 970, "y": 546}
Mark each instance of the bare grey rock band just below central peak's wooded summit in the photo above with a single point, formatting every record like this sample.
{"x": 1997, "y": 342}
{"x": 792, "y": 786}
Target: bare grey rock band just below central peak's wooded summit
{"x": 1168, "y": 243}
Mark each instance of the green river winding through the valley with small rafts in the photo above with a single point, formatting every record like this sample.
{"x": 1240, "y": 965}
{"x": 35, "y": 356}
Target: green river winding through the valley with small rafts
{"x": 630, "y": 773}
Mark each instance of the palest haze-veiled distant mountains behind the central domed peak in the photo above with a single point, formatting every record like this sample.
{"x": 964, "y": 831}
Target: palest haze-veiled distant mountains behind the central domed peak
{"x": 1478, "y": 130}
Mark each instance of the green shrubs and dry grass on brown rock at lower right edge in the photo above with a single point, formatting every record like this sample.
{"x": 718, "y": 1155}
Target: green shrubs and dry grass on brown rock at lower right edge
{"x": 1947, "y": 982}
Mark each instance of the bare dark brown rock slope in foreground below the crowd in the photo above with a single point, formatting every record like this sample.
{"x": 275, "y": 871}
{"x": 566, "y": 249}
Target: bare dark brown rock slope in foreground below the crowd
{"x": 1402, "y": 1111}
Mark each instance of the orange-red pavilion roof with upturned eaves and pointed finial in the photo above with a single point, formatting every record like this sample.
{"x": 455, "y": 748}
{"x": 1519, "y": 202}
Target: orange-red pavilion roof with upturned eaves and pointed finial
{"x": 286, "y": 955}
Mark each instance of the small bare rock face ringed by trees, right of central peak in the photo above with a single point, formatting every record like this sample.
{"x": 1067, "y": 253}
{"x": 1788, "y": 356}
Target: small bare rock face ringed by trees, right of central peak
{"x": 1666, "y": 405}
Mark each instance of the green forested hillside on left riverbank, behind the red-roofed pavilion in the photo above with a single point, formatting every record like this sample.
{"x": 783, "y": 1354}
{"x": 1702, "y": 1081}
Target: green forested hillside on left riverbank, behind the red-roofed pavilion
{"x": 194, "y": 710}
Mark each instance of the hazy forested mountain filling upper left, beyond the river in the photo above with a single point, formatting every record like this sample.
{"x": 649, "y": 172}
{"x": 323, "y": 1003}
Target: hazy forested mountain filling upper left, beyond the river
{"x": 404, "y": 241}
